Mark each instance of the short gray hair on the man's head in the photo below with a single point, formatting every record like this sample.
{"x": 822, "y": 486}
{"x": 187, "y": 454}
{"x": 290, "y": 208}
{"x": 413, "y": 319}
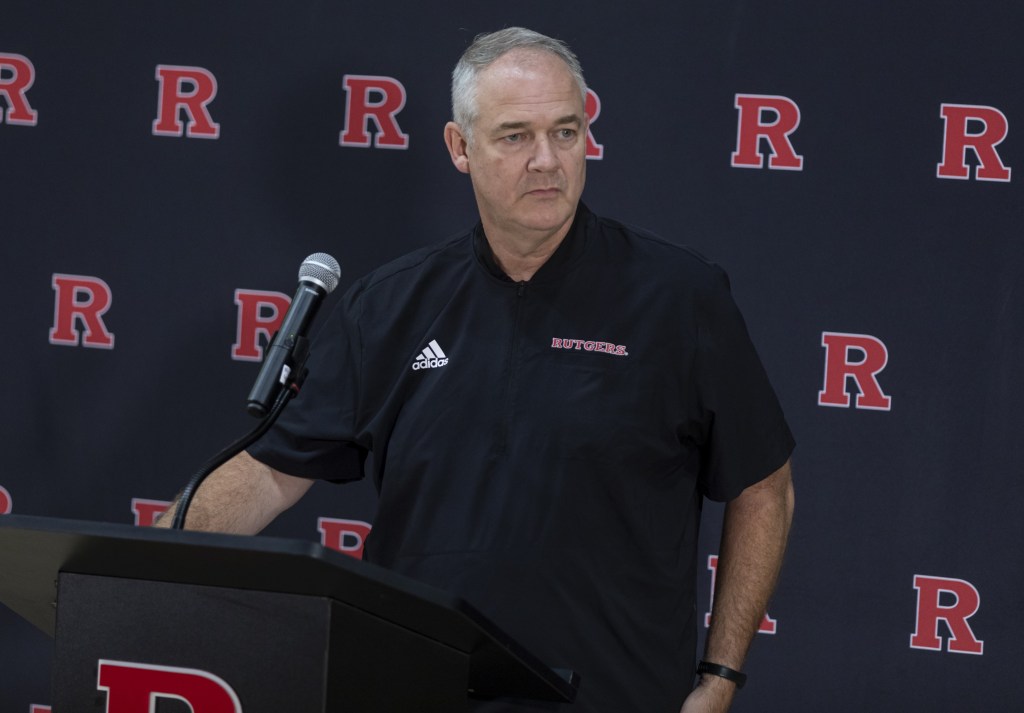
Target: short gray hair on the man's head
{"x": 488, "y": 49}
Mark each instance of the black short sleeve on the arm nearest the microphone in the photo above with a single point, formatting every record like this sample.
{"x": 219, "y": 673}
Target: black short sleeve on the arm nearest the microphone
{"x": 317, "y": 436}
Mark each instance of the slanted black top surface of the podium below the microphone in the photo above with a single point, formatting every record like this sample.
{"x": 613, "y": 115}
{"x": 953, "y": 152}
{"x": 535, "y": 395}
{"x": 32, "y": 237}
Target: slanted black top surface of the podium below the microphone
{"x": 35, "y": 551}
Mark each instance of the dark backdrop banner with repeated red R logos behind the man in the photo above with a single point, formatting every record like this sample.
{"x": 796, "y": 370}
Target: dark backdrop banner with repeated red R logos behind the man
{"x": 165, "y": 169}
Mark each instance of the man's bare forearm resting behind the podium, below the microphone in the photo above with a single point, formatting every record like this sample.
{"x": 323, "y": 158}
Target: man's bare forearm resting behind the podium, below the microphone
{"x": 241, "y": 497}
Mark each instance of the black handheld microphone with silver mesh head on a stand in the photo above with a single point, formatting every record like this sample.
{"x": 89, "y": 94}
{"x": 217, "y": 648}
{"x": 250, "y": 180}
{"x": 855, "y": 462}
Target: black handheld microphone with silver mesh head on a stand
{"x": 319, "y": 275}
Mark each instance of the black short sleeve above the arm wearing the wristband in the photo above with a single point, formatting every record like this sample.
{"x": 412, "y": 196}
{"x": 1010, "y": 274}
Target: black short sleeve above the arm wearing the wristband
{"x": 747, "y": 437}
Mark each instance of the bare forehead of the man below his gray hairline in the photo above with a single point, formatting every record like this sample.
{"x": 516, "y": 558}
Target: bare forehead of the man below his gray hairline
{"x": 527, "y": 86}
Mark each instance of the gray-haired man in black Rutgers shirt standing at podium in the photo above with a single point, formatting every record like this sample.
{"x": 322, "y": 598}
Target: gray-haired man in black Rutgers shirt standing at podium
{"x": 546, "y": 399}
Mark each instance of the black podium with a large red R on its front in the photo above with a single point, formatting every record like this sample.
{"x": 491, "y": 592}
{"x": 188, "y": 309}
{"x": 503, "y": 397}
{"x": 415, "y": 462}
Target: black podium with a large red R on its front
{"x": 145, "y": 616}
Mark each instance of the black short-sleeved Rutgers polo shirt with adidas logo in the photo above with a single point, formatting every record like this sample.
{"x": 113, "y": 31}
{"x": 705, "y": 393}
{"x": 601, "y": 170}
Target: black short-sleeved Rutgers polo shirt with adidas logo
{"x": 542, "y": 448}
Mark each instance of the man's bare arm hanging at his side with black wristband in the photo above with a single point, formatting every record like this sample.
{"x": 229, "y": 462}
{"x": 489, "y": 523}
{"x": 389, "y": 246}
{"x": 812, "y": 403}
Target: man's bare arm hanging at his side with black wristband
{"x": 754, "y": 535}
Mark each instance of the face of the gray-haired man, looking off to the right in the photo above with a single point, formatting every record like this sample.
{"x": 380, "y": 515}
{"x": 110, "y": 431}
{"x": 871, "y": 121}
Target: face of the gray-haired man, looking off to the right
{"x": 528, "y": 158}
